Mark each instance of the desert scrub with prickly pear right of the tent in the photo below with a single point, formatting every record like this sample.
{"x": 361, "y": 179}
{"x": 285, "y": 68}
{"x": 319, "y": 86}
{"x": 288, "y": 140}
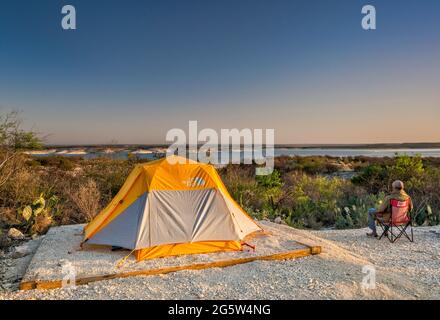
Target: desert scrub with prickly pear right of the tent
{"x": 313, "y": 192}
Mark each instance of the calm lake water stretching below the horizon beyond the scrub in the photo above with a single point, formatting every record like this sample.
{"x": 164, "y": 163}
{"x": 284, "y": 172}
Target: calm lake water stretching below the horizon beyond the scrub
{"x": 282, "y": 151}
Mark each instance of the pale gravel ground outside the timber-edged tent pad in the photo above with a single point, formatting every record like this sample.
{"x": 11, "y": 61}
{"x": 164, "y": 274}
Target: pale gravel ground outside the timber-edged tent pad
{"x": 403, "y": 271}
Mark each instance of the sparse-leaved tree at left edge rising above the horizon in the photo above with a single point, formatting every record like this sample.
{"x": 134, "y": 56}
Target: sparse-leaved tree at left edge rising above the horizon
{"x": 13, "y": 141}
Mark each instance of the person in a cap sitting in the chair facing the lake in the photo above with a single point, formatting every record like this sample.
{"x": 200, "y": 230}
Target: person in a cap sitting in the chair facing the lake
{"x": 384, "y": 211}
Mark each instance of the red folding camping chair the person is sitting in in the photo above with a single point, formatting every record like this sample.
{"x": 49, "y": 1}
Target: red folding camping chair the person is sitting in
{"x": 400, "y": 220}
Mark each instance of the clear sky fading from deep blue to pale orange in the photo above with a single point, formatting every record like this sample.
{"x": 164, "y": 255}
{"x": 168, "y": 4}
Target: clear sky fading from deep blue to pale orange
{"x": 135, "y": 69}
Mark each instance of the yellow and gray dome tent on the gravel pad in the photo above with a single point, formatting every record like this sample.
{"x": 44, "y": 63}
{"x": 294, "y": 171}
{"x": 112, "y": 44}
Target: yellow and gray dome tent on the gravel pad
{"x": 171, "y": 206}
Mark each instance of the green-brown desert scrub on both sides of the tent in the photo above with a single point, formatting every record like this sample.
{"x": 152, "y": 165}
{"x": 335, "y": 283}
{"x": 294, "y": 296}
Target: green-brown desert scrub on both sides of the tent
{"x": 304, "y": 192}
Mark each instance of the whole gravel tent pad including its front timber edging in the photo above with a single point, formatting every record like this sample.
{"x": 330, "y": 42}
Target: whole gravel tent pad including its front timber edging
{"x": 58, "y": 258}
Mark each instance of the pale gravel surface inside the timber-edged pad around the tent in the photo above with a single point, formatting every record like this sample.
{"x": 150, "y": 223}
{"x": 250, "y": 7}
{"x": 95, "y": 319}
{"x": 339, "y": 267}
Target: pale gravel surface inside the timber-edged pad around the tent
{"x": 61, "y": 245}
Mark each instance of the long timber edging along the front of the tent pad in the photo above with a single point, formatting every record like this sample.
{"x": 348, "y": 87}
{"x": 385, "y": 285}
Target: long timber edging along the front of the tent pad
{"x": 45, "y": 285}
